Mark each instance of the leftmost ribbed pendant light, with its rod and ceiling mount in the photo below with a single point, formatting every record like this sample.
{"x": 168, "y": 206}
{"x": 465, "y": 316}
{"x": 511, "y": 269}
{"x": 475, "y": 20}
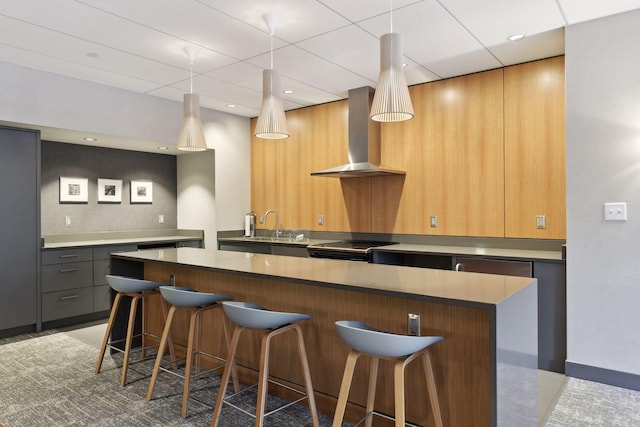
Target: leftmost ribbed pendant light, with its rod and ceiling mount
{"x": 191, "y": 135}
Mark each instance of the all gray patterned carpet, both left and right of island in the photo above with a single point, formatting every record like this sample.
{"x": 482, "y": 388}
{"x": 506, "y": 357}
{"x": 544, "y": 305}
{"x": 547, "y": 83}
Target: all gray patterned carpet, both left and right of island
{"x": 48, "y": 379}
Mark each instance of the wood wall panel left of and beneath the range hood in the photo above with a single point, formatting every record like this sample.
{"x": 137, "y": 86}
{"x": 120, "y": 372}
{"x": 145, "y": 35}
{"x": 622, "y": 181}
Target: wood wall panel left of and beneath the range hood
{"x": 281, "y": 180}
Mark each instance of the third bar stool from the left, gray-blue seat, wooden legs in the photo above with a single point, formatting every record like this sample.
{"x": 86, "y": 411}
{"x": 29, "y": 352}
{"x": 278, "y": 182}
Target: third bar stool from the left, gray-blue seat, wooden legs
{"x": 252, "y": 316}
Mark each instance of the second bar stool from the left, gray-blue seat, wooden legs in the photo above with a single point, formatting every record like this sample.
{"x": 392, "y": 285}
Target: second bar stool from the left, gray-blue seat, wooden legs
{"x": 196, "y": 303}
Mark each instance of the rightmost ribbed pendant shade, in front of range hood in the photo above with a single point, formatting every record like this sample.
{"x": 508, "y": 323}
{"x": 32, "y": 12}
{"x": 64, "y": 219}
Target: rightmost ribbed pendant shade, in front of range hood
{"x": 391, "y": 102}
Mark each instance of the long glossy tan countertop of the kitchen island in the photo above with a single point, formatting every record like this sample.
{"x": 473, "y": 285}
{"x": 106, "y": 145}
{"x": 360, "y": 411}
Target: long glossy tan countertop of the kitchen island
{"x": 460, "y": 288}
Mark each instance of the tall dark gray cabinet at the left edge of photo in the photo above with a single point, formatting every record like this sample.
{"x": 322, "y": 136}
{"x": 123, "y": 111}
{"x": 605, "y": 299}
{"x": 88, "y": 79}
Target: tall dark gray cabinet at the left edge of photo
{"x": 20, "y": 228}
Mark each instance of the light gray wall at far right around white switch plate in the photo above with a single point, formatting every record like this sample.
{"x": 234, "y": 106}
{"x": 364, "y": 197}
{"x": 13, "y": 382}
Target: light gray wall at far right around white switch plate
{"x": 603, "y": 165}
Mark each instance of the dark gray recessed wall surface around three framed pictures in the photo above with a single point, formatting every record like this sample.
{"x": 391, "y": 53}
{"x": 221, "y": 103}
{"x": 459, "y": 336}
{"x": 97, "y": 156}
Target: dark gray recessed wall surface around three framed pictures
{"x": 80, "y": 161}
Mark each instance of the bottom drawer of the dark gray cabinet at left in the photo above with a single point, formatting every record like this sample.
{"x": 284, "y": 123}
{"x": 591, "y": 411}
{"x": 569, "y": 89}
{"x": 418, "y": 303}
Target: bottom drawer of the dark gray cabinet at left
{"x": 73, "y": 302}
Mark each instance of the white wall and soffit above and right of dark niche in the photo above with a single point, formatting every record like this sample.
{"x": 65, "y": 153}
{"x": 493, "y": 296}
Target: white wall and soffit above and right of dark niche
{"x": 221, "y": 192}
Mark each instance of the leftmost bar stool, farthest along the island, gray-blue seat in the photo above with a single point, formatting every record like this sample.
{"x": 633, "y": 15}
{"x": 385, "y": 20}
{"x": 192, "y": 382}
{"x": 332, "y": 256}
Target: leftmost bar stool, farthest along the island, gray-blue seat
{"x": 137, "y": 290}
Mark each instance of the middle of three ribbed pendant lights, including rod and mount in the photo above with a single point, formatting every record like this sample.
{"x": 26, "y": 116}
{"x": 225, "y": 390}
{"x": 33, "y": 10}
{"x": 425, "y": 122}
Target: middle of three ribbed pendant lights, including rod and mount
{"x": 272, "y": 123}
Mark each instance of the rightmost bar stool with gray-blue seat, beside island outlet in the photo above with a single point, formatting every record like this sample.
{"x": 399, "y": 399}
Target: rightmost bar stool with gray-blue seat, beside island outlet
{"x": 364, "y": 339}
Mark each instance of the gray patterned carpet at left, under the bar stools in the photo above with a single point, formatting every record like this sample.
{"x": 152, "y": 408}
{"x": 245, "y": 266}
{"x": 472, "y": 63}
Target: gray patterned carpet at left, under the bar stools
{"x": 49, "y": 380}
